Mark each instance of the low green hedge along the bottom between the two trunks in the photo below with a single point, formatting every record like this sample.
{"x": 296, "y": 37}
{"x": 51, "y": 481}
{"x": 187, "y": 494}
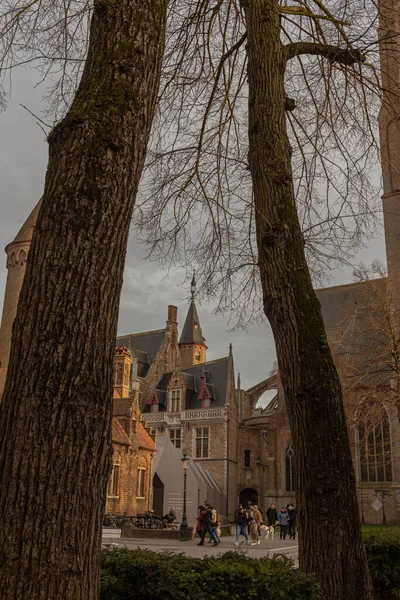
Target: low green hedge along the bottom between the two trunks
{"x": 145, "y": 575}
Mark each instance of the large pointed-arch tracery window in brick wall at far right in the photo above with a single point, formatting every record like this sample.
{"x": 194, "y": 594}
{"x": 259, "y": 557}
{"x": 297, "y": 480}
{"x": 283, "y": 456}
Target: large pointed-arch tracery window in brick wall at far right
{"x": 374, "y": 444}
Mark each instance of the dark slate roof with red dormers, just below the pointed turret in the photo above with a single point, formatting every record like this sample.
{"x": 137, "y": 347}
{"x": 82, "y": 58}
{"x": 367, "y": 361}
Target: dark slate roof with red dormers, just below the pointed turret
{"x": 216, "y": 374}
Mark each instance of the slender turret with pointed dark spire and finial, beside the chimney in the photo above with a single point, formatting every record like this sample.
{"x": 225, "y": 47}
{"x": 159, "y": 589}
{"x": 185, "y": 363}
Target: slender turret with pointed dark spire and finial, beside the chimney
{"x": 192, "y": 343}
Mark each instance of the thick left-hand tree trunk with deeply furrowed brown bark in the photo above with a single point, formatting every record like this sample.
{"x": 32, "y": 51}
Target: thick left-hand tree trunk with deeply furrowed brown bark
{"x": 55, "y": 442}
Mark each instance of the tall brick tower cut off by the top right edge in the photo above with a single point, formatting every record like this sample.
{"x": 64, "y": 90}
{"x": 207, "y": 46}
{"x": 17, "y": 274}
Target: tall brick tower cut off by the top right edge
{"x": 389, "y": 129}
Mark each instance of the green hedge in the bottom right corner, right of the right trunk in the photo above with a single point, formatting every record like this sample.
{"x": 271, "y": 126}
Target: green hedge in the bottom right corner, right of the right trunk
{"x": 383, "y": 552}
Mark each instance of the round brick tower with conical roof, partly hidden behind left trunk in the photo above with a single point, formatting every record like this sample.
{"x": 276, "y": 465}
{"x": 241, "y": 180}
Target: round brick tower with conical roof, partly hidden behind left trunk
{"x": 17, "y": 254}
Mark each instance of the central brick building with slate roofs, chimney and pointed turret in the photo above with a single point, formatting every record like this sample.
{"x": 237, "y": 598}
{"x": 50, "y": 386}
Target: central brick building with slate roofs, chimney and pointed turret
{"x": 186, "y": 397}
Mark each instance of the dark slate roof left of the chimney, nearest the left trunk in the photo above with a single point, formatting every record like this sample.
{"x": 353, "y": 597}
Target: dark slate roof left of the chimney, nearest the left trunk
{"x": 143, "y": 346}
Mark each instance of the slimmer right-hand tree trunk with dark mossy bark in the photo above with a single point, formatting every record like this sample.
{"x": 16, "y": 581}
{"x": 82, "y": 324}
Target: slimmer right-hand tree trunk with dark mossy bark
{"x": 330, "y": 540}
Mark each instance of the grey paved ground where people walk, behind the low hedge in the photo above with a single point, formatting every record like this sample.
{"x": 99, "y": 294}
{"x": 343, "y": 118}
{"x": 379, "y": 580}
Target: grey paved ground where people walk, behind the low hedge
{"x": 265, "y": 548}
